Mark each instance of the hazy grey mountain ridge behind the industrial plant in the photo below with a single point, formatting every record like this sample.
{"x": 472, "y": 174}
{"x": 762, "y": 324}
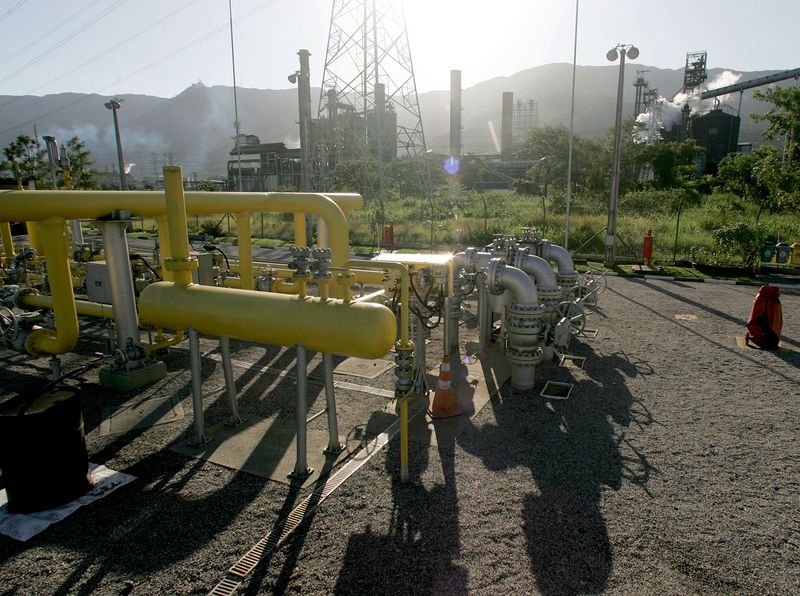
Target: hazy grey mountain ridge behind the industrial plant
{"x": 195, "y": 127}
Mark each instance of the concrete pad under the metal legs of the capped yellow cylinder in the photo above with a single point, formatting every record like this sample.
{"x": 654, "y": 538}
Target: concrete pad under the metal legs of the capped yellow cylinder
{"x": 264, "y": 448}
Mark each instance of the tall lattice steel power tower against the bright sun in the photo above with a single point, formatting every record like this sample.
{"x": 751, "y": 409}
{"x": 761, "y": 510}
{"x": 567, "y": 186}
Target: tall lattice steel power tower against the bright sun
{"x": 368, "y": 102}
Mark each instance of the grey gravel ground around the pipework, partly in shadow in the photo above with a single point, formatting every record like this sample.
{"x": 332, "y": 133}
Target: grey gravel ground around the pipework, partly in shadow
{"x": 673, "y": 468}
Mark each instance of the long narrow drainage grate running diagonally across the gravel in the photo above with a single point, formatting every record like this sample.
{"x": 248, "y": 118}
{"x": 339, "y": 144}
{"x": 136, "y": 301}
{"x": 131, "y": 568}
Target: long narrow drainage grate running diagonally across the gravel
{"x": 242, "y": 568}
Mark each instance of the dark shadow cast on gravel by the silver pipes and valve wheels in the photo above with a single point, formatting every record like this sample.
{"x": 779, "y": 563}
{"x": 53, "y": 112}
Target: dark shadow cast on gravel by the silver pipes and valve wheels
{"x": 574, "y": 449}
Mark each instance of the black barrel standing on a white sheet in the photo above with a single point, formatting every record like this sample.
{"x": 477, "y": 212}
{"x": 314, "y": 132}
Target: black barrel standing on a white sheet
{"x": 43, "y": 450}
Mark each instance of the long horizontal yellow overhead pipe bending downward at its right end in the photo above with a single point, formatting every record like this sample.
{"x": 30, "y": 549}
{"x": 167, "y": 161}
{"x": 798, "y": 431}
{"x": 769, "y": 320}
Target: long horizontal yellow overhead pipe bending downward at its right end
{"x": 95, "y": 204}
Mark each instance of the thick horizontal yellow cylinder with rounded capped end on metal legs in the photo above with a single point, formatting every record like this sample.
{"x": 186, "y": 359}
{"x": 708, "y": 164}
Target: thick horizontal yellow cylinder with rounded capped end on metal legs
{"x": 360, "y": 329}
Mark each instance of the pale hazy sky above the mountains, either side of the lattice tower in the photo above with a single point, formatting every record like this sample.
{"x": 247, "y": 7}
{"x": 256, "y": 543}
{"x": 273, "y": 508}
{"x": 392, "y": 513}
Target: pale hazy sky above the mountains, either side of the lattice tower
{"x": 160, "y": 47}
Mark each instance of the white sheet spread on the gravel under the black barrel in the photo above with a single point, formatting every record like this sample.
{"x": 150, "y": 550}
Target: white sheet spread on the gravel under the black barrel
{"x": 22, "y": 526}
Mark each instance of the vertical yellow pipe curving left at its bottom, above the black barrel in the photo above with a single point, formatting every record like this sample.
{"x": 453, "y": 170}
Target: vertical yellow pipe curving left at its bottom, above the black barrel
{"x": 65, "y": 336}
